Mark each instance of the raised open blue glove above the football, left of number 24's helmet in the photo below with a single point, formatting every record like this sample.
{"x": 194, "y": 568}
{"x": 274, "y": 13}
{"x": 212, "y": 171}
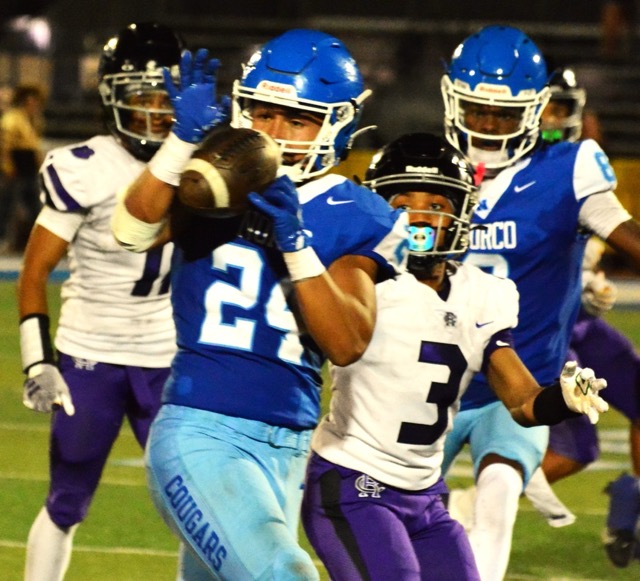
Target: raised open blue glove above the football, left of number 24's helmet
{"x": 196, "y": 109}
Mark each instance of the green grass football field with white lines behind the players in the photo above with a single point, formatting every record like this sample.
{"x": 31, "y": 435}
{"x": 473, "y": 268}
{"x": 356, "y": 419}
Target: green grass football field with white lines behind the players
{"x": 123, "y": 539}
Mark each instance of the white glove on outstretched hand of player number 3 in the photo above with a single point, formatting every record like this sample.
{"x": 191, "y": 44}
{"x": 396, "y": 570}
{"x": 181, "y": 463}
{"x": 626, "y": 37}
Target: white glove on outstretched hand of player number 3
{"x": 580, "y": 389}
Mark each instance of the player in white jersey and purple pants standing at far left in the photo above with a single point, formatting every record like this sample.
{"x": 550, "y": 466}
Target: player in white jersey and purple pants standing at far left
{"x": 115, "y": 336}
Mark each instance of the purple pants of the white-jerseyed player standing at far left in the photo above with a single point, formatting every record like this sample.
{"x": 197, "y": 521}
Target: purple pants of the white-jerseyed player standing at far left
{"x": 103, "y": 395}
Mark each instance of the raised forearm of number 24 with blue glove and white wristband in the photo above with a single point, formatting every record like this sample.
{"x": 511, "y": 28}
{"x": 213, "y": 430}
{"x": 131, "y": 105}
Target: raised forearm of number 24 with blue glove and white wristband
{"x": 141, "y": 213}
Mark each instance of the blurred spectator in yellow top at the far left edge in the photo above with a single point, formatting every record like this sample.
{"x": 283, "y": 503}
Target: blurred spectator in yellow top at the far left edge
{"x": 21, "y": 129}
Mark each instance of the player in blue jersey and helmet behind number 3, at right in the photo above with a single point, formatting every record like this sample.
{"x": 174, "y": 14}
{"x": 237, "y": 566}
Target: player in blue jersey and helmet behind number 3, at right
{"x": 536, "y": 203}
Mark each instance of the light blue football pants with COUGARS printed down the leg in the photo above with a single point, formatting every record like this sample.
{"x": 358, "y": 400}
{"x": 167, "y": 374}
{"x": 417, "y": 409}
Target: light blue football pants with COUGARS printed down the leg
{"x": 231, "y": 490}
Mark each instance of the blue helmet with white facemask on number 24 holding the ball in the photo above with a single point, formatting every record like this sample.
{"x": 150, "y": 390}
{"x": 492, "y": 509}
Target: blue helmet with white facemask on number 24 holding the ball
{"x": 312, "y": 71}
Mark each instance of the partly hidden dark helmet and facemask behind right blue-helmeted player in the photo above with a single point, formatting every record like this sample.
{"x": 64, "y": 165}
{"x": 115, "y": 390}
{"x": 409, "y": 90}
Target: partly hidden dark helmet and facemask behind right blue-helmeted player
{"x": 565, "y": 90}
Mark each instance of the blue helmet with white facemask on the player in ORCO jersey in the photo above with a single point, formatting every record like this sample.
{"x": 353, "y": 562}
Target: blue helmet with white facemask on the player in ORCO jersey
{"x": 499, "y": 66}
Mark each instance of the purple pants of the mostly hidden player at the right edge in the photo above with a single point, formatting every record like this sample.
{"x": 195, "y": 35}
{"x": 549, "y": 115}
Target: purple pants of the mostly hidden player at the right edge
{"x": 611, "y": 355}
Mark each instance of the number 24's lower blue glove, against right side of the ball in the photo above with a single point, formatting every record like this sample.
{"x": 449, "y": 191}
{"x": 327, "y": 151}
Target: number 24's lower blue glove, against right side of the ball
{"x": 280, "y": 201}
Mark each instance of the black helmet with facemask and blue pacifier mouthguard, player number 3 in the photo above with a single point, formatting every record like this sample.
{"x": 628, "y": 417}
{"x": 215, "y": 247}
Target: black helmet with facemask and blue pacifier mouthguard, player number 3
{"x": 423, "y": 162}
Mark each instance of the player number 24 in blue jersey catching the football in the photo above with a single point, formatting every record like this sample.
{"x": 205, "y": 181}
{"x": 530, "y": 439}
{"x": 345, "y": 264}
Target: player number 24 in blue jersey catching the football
{"x": 257, "y": 315}
